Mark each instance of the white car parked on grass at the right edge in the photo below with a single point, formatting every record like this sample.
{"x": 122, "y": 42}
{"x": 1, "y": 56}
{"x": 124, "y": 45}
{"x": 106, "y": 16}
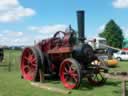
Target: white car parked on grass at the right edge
{"x": 121, "y": 55}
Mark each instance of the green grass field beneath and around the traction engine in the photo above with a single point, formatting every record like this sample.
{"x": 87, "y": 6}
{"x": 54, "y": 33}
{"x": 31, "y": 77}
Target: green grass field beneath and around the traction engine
{"x": 11, "y": 83}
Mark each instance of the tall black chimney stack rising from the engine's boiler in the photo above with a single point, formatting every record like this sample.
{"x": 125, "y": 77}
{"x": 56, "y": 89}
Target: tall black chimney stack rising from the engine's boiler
{"x": 80, "y": 21}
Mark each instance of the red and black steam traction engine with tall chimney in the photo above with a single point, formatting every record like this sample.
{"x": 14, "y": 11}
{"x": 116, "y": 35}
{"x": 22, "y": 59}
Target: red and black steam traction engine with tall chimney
{"x": 64, "y": 55}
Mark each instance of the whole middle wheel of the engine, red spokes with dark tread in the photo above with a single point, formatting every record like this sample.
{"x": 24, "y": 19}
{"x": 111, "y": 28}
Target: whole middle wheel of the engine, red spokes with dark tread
{"x": 70, "y": 73}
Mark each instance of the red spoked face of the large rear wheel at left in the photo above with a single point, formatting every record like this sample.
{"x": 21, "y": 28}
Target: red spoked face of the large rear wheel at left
{"x": 28, "y": 64}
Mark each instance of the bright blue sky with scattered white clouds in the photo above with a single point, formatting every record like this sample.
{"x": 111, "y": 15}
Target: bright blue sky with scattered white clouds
{"x": 23, "y": 21}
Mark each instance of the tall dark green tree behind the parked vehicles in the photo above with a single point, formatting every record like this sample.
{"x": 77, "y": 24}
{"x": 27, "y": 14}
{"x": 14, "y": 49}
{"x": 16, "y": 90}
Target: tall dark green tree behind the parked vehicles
{"x": 113, "y": 34}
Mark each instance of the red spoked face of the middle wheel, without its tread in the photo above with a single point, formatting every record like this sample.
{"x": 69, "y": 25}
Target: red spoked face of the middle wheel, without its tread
{"x": 71, "y": 73}
